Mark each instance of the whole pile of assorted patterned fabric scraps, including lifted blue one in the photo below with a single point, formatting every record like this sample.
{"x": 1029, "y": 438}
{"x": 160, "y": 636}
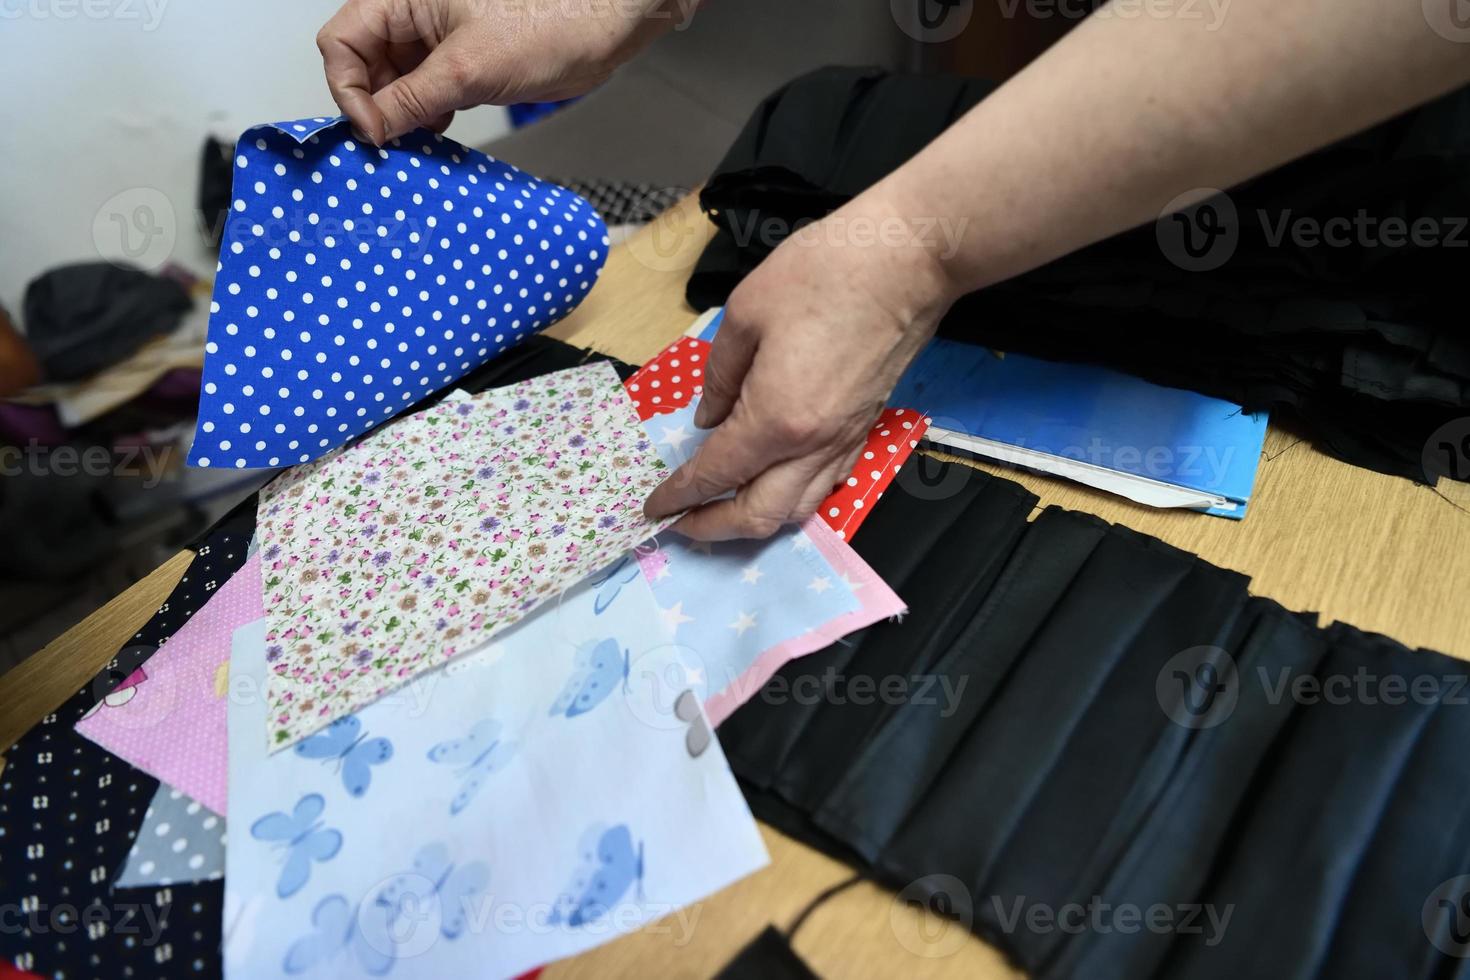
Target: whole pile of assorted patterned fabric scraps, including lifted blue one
{"x": 453, "y": 709}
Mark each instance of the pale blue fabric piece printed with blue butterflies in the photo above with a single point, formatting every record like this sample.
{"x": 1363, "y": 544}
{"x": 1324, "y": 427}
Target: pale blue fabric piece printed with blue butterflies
{"x": 533, "y": 806}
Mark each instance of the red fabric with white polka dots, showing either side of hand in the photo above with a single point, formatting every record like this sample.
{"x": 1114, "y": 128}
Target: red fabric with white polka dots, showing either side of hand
{"x": 677, "y": 375}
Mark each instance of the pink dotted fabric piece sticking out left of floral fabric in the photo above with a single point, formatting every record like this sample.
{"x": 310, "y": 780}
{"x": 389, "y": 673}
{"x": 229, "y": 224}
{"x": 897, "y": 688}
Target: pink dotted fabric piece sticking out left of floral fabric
{"x": 173, "y": 722}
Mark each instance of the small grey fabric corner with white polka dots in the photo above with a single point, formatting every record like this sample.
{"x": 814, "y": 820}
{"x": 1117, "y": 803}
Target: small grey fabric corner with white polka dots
{"x": 180, "y": 841}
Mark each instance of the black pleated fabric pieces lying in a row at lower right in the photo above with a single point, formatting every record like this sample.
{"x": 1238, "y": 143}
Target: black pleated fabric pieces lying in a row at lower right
{"x": 1084, "y": 716}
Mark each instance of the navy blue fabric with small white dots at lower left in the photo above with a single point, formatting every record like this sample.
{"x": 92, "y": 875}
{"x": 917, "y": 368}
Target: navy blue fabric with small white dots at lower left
{"x": 70, "y": 812}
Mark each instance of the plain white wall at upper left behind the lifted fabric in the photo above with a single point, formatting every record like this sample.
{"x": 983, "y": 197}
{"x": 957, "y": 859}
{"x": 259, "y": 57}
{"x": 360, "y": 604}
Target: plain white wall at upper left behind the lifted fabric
{"x": 114, "y": 98}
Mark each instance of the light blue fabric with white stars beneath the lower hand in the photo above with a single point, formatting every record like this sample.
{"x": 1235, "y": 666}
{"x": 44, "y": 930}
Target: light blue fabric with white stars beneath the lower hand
{"x": 730, "y": 602}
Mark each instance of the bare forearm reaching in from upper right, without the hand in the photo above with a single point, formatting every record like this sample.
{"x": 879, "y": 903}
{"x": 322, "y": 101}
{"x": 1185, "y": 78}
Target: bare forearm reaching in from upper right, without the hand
{"x": 1127, "y": 114}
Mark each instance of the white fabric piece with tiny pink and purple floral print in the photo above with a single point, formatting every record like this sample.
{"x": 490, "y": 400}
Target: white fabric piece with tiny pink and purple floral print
{"x": 427, "y": 540}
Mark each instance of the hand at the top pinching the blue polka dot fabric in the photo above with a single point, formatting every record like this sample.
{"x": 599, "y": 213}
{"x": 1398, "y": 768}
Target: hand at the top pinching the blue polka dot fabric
{"x": 398, "y": 65}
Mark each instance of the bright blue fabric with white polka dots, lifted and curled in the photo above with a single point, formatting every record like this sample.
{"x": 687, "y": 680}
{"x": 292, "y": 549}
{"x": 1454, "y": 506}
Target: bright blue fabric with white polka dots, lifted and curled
{"x": 355, "y": 281}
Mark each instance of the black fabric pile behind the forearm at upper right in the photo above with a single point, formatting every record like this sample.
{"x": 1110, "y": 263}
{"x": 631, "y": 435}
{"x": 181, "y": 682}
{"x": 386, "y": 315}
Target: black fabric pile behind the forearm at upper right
{"x": 1365, "y": 345}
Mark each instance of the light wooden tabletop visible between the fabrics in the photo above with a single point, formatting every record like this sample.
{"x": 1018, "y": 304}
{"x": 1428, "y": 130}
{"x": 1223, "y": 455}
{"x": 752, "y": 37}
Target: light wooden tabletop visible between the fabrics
{"x": 1372, "y": 550}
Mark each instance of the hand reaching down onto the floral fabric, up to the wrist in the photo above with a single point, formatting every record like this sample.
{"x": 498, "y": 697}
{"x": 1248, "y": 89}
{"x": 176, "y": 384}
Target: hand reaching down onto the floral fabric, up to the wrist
{"x": 811, "y": 347}
